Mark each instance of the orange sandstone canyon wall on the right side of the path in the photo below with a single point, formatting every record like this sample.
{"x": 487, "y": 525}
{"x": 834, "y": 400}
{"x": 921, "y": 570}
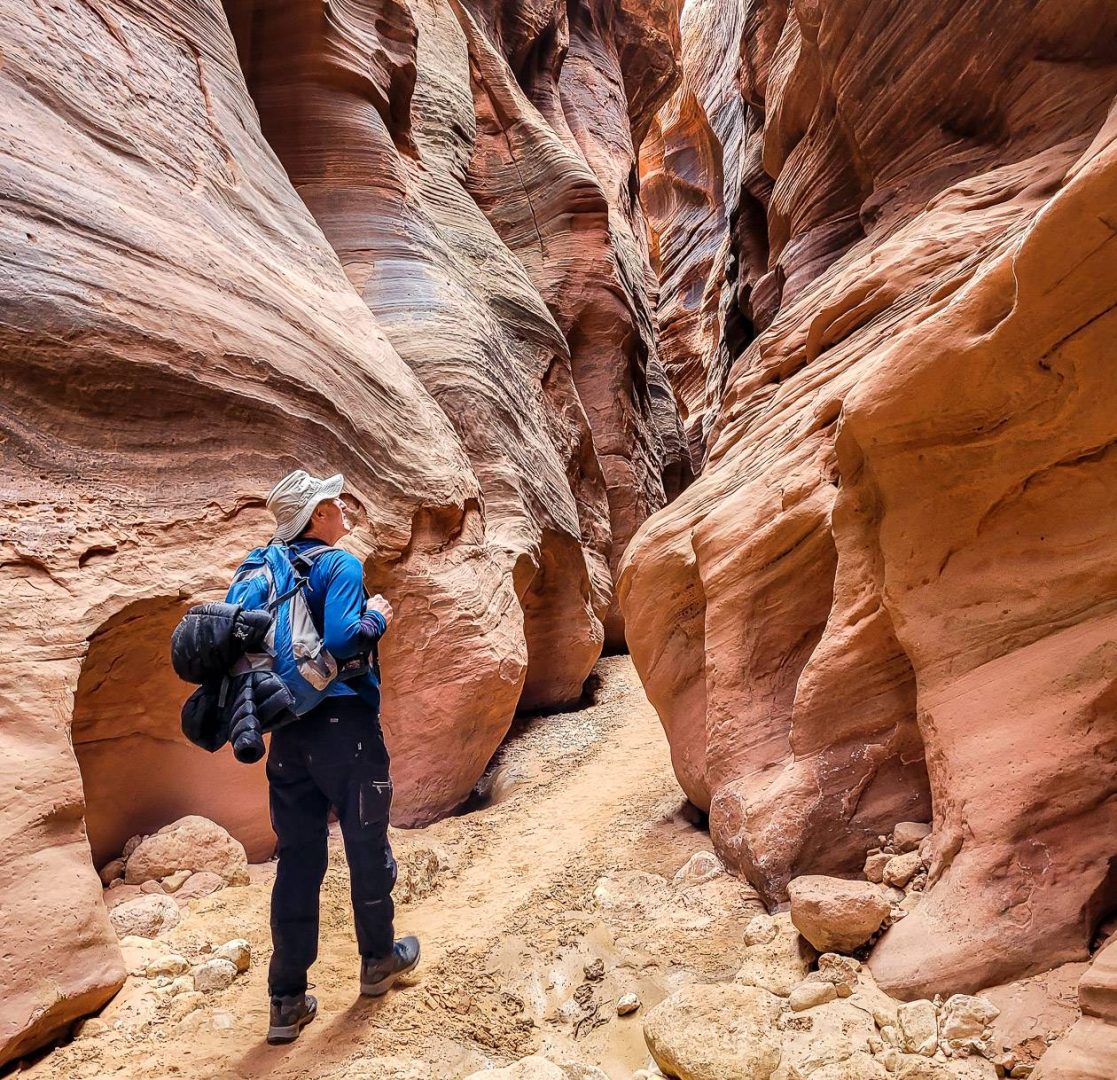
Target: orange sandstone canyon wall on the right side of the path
{"x": 892, "y": 595}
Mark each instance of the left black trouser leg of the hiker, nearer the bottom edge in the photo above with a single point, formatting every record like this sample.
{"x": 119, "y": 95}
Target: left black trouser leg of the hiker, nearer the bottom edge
{"x": 300, "y": 815}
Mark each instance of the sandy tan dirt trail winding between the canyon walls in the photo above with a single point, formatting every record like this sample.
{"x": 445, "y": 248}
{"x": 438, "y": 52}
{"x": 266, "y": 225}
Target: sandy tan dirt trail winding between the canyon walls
{"x": 571, "y": 863}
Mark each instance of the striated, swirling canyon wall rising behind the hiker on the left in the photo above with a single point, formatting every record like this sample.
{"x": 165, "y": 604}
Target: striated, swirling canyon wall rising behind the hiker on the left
{"x": 180, "y": 327}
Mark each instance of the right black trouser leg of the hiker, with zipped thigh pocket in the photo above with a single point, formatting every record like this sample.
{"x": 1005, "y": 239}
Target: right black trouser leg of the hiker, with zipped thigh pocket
{"x": 351, "y": 766}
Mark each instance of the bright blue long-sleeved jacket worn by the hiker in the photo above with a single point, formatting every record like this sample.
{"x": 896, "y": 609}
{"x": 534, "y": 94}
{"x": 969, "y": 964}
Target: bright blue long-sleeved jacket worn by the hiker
{"x": 337, "y": 598}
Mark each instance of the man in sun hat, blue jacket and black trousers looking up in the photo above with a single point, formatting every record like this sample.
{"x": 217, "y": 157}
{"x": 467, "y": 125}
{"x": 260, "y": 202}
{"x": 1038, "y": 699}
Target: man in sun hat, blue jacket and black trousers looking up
{"x": 332, "y": 756}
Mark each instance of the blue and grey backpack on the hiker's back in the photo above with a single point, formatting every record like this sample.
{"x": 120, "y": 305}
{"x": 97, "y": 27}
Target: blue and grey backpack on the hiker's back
{"x": 274, "y": 578}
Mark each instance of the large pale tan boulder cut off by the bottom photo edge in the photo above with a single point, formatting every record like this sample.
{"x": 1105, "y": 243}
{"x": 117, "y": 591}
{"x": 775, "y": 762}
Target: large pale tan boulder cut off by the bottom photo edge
{"x": 722, "y": 1033}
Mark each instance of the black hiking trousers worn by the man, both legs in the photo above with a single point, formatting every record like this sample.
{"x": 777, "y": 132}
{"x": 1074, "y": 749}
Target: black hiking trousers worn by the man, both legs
{"x": 332, "y": 757}
